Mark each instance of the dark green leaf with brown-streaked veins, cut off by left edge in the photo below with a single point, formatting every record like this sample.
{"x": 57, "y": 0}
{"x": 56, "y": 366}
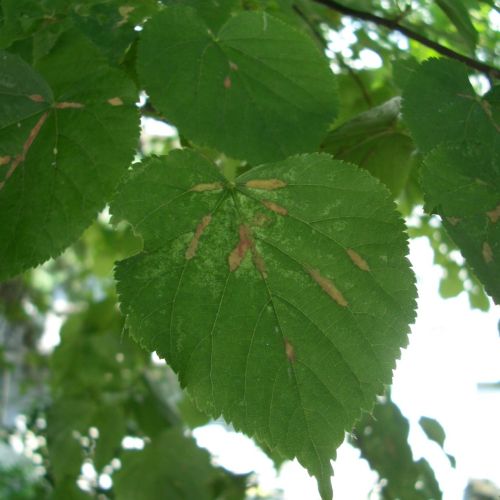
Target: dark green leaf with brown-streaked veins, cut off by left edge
{"x": 67, "y": 135}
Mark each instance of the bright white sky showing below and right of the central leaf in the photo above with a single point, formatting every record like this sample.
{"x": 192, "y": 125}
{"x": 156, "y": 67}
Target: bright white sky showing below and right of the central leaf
{"x": 452, "y": 348}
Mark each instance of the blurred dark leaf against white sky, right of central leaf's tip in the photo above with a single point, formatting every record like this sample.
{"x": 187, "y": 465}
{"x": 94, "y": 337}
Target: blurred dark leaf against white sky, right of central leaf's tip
{"x": 382, "y": 438}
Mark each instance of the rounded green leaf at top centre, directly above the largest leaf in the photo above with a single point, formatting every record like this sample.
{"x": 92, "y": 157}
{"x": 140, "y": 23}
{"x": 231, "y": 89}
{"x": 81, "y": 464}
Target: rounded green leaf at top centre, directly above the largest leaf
{"x": 258, "y": 90}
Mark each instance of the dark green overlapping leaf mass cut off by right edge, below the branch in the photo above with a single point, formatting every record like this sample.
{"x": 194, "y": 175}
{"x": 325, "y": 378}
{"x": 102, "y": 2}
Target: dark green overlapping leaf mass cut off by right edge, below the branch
{"x": 461, "y": 175}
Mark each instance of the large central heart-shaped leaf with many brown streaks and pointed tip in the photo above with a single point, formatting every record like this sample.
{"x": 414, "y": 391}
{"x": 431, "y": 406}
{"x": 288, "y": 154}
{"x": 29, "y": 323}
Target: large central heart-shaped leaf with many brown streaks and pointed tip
{"x": 282, "y": 301}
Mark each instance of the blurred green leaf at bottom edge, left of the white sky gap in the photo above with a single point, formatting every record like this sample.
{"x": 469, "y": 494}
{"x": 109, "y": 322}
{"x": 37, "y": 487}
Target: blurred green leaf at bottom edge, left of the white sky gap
{"x": 185, "y": 471}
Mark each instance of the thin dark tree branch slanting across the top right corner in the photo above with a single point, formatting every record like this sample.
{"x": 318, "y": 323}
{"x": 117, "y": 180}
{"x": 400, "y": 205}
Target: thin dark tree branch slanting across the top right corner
{"x": 395, "y": 26}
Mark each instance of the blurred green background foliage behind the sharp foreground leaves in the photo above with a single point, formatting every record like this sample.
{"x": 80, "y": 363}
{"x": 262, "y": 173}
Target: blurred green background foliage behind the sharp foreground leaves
{"x": 84, "y": 413}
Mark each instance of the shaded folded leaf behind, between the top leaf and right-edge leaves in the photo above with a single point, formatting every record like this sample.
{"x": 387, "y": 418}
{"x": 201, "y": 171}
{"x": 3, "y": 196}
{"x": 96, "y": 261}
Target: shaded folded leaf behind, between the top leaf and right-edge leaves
{"x": 375, "y": 141}
